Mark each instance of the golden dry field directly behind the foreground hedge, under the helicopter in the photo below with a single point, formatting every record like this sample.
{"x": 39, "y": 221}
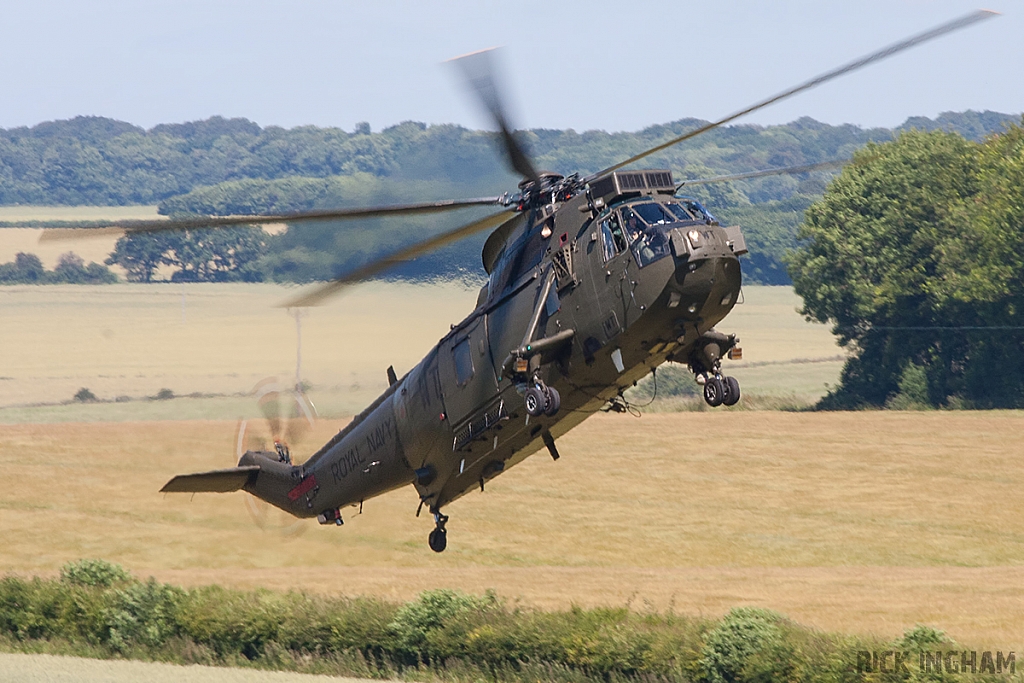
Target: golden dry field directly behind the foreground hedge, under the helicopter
{"x": 862, "y": 523}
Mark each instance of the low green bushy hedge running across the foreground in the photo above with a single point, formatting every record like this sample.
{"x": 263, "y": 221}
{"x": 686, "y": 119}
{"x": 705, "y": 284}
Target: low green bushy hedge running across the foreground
{"x": 98, "y": 610}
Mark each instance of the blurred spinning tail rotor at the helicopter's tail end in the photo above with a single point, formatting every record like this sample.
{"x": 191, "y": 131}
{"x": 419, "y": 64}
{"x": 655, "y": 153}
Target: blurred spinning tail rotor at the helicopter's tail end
{"x": 288, "y": 417}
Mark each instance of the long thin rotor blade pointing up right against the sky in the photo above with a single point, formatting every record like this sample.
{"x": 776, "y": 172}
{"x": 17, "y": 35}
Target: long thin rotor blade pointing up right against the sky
{"x": 938, "y": 31}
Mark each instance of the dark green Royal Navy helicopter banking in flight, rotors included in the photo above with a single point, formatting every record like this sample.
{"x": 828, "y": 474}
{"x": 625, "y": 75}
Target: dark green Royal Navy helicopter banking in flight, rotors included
{"x": 593, "y": 283}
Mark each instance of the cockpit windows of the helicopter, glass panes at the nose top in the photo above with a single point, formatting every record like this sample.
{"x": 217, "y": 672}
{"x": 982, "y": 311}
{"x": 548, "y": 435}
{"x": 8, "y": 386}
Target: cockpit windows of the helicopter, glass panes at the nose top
{"x": 643, "y": 226}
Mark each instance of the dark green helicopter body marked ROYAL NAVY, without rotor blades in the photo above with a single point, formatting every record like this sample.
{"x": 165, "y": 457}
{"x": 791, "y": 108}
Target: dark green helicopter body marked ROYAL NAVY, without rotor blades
{"x": 585, "y": 296}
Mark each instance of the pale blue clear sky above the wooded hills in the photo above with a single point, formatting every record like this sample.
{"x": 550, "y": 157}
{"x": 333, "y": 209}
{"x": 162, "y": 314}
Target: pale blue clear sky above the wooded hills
{"x": 583, "y": 65}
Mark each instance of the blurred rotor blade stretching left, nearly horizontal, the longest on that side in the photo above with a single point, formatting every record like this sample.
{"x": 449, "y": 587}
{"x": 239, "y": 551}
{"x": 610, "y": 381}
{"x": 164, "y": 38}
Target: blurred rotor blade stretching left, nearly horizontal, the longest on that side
{"x": 105, "y": 228}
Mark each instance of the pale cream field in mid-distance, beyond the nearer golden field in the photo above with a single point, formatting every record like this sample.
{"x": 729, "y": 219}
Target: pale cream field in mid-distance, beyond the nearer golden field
{"x": 134, "y": 340}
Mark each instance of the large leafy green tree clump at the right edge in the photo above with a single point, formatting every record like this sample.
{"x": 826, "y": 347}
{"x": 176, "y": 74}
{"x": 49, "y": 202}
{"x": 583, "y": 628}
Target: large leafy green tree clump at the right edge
{"x": 915, "y": 255}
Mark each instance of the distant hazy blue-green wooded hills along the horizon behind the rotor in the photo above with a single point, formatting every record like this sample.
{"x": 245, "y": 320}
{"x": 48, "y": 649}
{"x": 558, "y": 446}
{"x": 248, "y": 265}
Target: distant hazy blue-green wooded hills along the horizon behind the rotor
{"x": 223, "y": 166}
